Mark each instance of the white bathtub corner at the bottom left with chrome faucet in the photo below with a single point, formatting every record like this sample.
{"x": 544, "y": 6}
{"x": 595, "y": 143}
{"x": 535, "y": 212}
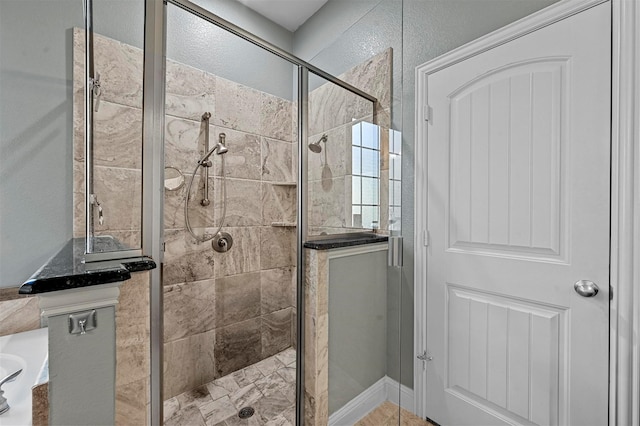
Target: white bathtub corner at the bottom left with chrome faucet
{"x": 28, "y": 351}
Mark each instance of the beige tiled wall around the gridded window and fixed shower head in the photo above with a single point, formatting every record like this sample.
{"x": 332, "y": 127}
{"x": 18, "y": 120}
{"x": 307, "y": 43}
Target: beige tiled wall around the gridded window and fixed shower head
{"x": 333, "y": 111}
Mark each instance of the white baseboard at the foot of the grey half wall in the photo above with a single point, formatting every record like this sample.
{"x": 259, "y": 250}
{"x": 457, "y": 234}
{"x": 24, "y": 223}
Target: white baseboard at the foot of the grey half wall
{"x": 385, "y": 389}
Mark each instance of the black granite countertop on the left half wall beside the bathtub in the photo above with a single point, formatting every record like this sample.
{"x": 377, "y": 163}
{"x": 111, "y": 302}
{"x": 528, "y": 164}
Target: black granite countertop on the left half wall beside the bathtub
{"x": 67, "y": 269}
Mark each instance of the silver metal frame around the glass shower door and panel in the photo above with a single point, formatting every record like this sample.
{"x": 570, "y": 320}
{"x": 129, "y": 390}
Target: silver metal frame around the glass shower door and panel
{"x": 155, "y": 33}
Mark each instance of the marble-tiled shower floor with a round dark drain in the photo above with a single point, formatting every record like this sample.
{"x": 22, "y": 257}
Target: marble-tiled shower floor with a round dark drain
{"x": 268, "y": 386}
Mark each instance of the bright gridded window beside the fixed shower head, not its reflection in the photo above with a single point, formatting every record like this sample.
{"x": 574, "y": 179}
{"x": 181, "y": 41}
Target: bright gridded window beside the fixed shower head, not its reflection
{"x": 365, "y": 181}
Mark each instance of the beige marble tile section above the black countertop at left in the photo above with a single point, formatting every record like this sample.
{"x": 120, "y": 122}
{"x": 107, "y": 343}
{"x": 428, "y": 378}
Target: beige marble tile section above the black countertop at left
{"x": 117, "y": 138}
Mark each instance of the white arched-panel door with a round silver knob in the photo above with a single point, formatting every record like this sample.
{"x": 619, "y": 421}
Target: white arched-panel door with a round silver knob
{"x": 517, "y": 212}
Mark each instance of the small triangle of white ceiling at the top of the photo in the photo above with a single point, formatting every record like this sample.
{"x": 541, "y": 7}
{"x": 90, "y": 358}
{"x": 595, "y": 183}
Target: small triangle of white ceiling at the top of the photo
{"x": 289, "y": 14}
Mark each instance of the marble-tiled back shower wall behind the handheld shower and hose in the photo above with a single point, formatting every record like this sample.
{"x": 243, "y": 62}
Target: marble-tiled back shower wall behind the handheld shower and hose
{"x": 225, "y": 311}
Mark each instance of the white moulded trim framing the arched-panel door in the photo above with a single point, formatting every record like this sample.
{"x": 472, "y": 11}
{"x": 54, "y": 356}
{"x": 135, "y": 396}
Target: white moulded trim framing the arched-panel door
{"x": 624, "y": 388}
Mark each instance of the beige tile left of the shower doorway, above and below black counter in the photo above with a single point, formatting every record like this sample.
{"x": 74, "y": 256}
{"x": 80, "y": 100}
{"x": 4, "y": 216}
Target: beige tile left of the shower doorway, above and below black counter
{"x": 117, "y": 181}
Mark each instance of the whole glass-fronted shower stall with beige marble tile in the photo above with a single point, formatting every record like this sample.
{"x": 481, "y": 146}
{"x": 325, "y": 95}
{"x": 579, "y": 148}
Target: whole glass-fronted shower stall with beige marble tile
{"x": 259, "y": 181}
